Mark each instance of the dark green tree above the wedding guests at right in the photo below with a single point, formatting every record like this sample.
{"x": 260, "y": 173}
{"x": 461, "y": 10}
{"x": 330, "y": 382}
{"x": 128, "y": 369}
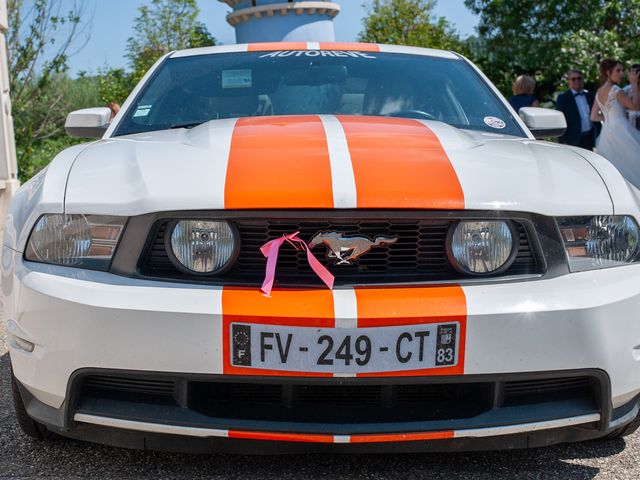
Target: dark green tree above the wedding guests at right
{"x": 545, "y": 38}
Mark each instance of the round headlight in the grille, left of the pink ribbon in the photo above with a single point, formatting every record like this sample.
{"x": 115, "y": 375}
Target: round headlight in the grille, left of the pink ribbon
{"x": 202, "y": 246}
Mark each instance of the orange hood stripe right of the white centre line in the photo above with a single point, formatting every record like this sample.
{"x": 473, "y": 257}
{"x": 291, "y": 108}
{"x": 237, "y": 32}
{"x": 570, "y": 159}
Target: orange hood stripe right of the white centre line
{"x": 400, "y": 163}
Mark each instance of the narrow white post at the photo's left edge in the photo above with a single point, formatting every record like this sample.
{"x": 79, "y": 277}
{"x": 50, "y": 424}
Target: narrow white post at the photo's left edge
{"x": 8, "y": 167}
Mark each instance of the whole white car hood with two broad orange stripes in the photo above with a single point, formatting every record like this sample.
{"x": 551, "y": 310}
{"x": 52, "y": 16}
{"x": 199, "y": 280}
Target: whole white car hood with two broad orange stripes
{"x": 331, "y": 162}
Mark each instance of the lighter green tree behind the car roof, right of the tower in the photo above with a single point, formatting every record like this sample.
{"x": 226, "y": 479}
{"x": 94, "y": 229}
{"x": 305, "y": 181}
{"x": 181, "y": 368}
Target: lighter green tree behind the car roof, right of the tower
{"x": 409, "y": 22}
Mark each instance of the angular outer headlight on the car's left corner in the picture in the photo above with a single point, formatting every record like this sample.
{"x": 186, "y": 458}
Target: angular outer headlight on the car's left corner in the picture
{"x": 86, "y": 241}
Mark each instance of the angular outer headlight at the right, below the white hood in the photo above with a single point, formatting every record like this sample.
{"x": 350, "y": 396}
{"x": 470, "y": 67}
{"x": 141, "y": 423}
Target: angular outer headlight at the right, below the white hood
{"x": 599, "y": 242}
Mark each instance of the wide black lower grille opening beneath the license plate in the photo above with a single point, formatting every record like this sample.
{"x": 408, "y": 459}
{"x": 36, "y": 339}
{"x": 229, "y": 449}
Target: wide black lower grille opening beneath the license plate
{"x": 331, "y": 401}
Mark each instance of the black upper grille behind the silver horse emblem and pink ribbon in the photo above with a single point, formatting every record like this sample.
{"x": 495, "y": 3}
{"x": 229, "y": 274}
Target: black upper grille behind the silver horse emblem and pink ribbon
{"x": 419, "y": 255}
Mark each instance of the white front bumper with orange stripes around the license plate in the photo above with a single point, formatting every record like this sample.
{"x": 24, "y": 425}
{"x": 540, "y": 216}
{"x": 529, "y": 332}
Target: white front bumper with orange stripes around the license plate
{"x": 586, "y": 322}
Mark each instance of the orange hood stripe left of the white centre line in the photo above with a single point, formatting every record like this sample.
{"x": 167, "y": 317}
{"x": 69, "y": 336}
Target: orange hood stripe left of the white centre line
{"x": 279, "y": 162}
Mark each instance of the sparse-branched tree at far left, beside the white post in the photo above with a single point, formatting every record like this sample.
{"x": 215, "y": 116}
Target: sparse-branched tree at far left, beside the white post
{"x": 42, "y": 34}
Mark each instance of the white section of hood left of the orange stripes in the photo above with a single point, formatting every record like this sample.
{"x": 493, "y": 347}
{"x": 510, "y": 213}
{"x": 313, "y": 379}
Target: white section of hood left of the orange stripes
{"x": 138, "y": 174}
